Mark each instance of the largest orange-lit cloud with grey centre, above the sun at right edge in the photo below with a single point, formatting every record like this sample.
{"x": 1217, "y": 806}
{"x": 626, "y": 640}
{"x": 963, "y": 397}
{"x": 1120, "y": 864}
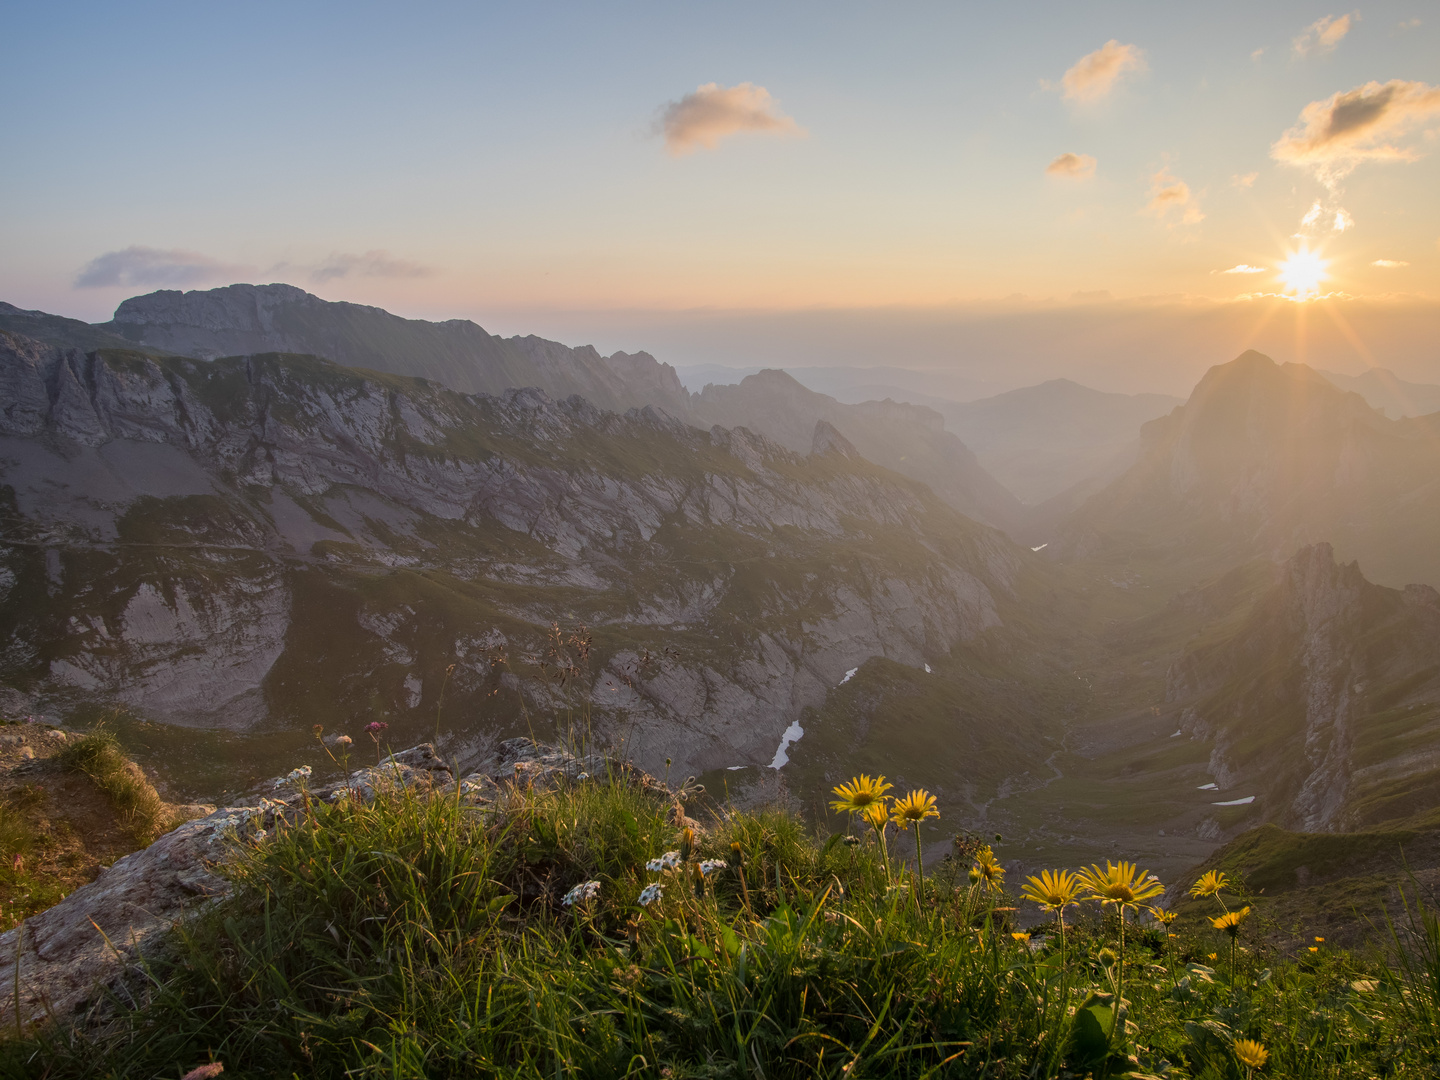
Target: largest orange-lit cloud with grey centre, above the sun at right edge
{"x": 1363, "y": 125}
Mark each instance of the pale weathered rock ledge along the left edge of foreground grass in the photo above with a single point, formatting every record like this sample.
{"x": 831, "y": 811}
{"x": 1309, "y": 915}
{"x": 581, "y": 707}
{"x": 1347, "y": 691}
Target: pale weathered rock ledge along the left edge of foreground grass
{"x": 76, "y": 955}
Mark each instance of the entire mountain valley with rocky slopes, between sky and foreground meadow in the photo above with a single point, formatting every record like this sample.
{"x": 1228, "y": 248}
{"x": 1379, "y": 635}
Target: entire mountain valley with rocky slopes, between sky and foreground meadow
{"x": 214, "y": 554}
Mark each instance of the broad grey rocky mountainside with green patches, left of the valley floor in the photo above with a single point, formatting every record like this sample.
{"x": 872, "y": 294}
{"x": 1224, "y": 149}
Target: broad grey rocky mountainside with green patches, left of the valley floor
{"x": 283, "y": 541}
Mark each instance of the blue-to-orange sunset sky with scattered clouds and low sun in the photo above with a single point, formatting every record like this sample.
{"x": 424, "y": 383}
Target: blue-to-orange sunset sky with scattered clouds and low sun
{"x": 1121, "y": 192}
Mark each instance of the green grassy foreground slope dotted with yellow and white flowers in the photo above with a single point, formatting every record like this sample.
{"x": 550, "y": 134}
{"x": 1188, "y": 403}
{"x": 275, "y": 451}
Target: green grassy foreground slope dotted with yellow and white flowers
{"x": 420, "y": 937}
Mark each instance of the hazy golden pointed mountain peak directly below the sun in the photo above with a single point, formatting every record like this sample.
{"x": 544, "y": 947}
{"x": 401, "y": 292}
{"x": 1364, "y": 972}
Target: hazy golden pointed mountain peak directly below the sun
{"x": 1266, "y": 459}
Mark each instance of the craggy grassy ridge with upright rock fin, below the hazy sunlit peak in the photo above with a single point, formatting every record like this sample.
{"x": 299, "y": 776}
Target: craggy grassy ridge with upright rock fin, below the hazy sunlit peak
{"x": 1326, "y": 703}
